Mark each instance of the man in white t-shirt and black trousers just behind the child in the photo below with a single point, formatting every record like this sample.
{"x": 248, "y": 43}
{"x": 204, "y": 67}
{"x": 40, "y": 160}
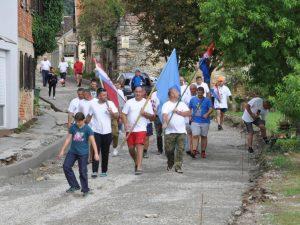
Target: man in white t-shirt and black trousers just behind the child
{"x": 102, "y": 112}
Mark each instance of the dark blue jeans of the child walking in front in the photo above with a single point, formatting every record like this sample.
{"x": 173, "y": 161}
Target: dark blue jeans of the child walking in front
{"x": 82, "y": 165}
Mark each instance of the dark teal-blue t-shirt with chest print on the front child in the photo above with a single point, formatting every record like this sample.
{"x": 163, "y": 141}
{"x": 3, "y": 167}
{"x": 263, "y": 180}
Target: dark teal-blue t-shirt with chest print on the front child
{"x": 80, "y": 139}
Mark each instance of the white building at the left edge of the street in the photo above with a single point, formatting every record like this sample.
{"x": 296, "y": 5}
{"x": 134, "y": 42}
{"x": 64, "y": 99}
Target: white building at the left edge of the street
{"x": 9, "y": 79}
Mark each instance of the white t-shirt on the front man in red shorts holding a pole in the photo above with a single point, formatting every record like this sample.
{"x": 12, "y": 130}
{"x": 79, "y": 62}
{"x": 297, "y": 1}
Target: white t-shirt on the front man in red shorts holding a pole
{"x": 132, "y": 109}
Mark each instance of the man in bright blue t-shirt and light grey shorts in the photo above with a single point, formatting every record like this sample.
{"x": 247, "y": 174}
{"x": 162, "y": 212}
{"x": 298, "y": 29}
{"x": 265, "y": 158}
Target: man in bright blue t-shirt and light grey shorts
{"x": 201, "y": 108}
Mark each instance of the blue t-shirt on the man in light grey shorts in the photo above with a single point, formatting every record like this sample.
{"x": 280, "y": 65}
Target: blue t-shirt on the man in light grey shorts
{"x": 200, "y": 107}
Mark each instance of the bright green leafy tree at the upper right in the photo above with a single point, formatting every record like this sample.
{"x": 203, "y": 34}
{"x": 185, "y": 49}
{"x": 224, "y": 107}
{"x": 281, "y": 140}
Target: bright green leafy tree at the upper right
{"x": 265, "y": 35}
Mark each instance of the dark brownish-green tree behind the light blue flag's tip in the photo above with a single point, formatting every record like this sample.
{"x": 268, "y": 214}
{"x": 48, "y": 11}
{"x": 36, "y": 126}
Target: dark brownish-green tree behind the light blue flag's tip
{"x": 169, "y": 24}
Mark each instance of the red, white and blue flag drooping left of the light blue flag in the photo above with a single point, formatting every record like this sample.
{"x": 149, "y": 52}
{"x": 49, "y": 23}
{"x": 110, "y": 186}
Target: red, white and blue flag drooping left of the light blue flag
{"x": 112, "y": 92}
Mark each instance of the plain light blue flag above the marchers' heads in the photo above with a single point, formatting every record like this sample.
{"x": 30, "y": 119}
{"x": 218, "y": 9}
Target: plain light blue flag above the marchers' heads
{"x": 169, "y": 78}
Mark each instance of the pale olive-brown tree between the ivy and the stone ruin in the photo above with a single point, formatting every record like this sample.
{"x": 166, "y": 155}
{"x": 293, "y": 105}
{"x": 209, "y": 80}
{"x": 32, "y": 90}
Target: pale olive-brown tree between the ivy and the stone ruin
{"x": 99, "y": 19}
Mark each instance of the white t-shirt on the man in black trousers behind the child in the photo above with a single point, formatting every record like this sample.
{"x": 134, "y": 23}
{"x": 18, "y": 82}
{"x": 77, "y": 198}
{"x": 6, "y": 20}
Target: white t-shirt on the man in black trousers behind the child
{"x": 101, "y": 117}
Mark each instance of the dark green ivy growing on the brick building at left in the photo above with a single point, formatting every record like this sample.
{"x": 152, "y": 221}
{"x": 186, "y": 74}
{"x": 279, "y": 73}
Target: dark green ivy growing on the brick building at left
{"x": 45, "y": 26}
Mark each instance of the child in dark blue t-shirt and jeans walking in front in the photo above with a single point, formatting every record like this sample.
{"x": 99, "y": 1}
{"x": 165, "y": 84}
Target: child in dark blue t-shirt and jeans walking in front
{"x": 79, "y": 136}
